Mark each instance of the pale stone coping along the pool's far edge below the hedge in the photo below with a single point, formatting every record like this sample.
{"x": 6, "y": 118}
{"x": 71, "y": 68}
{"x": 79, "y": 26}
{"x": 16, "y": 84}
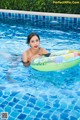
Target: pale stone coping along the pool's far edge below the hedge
{"x": 41, "y": 13}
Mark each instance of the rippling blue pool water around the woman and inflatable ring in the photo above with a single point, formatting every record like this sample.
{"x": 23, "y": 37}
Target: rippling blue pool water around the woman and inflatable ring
{"x": 27, "y": 94}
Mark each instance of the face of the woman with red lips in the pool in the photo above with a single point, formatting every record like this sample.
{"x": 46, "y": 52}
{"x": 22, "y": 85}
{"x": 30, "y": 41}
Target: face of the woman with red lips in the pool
{"x": 34, "y": 42}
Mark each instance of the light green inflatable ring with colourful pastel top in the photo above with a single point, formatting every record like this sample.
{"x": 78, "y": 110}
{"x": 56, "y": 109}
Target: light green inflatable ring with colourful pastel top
{"x": 57, "y": 61}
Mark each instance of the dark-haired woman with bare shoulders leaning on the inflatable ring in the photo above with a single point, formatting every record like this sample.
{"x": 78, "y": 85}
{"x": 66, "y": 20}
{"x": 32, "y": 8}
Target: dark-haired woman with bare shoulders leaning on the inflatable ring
{"x": 35, "y": 51}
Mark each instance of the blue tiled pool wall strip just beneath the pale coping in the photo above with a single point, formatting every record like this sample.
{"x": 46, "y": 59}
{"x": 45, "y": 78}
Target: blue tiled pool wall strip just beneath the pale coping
{"x": 38, "y": 17}
